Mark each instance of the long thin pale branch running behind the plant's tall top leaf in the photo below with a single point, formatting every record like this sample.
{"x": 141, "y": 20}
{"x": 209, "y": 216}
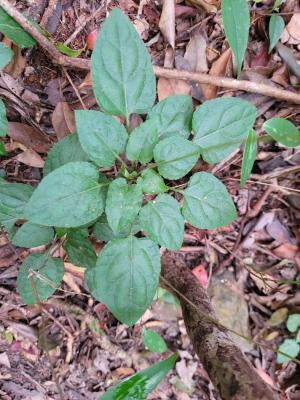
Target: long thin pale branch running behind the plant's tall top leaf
{"x": 83, "y": 64}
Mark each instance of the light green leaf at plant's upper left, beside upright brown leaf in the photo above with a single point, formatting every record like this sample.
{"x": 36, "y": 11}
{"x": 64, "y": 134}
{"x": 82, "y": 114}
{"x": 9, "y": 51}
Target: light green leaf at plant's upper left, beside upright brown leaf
{"x": 101, "y": 136}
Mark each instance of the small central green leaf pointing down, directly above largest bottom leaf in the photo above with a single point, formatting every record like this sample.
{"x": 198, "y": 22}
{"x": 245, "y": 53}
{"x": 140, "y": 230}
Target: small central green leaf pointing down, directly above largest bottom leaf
{"x": 123, "y": 204}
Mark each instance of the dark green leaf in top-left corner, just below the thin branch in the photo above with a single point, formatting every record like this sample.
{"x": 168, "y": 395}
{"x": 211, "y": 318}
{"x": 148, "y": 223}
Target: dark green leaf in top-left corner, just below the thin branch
{"x": 10, "y": 28}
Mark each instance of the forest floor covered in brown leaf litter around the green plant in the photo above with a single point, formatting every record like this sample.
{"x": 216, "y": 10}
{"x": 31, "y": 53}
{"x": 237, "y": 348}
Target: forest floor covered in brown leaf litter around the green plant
{"x": 249, "y": 267}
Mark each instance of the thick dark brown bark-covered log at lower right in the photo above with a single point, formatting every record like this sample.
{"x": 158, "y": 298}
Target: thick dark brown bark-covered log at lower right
{"x": 228, "y": 368}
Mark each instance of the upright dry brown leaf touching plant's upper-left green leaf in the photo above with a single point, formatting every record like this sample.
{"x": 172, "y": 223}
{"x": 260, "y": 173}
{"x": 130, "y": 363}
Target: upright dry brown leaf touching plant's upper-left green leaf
{"x": 63, "y": 120}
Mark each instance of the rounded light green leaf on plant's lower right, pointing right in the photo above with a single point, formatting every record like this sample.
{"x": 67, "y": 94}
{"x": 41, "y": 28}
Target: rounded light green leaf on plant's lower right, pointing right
{"x": 207, "y": 204}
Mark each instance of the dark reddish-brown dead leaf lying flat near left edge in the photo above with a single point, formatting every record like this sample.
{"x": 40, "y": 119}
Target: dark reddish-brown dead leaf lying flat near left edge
{"x": 29, "y": 137}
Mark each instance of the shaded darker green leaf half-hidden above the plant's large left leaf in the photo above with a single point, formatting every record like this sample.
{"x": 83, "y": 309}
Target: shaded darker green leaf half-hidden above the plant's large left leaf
{"x": 66, "y": 150}
